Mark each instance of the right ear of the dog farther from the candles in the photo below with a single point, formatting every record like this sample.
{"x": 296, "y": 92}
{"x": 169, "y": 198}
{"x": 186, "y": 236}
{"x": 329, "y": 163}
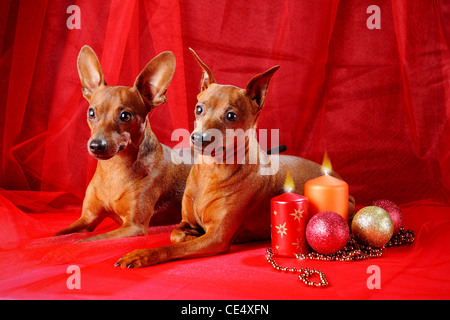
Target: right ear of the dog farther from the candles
{"x": 154, "y": 79}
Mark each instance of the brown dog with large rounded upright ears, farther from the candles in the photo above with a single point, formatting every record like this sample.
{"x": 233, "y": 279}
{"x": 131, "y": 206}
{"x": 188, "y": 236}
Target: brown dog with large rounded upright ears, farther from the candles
{"x": 135, "y": 176}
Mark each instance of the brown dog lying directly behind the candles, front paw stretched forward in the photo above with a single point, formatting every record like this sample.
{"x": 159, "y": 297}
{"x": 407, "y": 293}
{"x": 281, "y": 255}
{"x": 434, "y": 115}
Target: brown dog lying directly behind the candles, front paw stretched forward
{"x": 227, "y": 202}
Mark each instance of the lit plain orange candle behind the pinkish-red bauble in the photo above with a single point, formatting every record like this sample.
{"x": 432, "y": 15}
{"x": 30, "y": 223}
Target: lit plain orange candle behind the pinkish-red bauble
{"x": 327, "y": 193}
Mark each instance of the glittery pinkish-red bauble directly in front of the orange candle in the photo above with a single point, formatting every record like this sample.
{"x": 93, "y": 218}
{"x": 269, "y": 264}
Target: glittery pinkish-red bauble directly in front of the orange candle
{"x": 327, "y": 232}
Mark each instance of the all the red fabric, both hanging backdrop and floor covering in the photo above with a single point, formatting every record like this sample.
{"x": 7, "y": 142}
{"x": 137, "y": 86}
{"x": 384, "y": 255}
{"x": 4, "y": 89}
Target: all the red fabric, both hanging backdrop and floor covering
{"x": 377, "y": 100}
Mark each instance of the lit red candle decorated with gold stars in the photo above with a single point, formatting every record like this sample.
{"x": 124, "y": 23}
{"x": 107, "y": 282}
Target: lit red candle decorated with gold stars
{"x": 289, "y": 216}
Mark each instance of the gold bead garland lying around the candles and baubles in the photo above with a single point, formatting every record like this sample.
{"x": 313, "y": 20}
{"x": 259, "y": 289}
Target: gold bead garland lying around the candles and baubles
{"x": 353, "y": 251}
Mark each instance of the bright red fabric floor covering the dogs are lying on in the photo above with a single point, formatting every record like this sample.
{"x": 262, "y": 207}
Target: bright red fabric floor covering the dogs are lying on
{"x": 36, "y": 266}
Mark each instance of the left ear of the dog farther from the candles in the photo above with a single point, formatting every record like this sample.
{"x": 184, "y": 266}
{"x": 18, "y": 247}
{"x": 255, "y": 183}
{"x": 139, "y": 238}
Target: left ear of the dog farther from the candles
{"x": 90, "y": 71}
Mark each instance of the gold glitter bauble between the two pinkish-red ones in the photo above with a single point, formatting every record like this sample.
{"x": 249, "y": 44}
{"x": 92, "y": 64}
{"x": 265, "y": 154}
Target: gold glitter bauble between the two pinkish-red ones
{"x": 372, "y": 226}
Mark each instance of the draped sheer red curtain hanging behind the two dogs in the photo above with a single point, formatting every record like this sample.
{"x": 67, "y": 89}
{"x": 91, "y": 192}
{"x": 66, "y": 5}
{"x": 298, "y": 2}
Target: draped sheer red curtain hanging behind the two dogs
{"x": 376, "y": 99}
